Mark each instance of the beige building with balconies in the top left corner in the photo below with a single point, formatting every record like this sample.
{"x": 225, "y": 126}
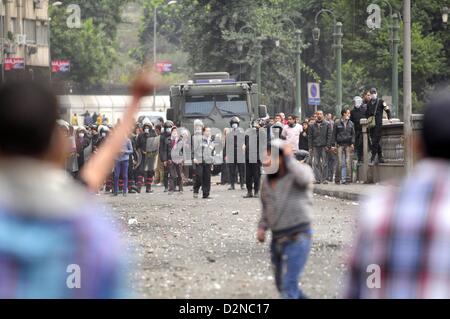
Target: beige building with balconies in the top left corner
{"x": 24, "y": 34}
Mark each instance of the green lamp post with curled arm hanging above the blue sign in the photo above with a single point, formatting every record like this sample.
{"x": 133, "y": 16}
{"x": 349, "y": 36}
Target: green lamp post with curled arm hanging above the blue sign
{"x": 338, "y": 46}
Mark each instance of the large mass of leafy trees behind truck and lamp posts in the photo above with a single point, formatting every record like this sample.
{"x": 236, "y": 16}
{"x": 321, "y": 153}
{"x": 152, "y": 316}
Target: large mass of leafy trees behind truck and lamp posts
{"x": 208, "y": 33}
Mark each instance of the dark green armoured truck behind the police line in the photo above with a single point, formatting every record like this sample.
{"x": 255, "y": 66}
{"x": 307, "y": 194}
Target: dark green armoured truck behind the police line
{"x": 214, "y": 98}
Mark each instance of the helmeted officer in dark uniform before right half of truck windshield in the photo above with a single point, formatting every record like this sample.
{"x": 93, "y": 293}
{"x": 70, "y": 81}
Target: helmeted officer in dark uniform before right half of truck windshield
{"x": 234, "y": 150}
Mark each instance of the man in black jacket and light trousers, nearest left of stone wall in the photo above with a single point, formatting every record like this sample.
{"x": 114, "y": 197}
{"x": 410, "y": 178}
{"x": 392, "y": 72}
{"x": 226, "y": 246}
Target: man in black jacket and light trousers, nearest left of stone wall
{"x": 344, "y": 140}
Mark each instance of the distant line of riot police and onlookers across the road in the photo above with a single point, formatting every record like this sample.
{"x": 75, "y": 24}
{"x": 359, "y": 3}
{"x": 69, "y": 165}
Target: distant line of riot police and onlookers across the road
{"x": 326, "y": 142}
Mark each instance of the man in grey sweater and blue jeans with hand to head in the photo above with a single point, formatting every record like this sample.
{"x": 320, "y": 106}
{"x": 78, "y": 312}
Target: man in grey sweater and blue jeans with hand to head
{"x": 286, "y": 197}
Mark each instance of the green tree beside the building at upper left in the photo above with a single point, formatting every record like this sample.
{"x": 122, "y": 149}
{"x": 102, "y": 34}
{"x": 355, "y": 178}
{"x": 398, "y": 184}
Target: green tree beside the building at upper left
{"x": 92, "y": 48}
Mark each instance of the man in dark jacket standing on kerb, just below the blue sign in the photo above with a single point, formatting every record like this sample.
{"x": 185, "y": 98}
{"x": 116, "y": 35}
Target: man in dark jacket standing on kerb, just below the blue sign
{"x": 319, "y": 140}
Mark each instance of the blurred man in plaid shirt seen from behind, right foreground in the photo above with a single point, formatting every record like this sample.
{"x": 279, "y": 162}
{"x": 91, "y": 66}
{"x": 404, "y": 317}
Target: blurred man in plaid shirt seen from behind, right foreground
{"x": 403, "y": 246}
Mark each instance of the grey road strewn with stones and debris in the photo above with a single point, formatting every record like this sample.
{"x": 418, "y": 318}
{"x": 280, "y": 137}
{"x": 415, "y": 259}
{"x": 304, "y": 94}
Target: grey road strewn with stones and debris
{"x": 193, "y": 248}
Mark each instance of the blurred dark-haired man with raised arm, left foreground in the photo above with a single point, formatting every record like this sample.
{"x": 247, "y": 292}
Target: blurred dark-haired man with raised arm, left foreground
{"x": 51, "y": 233}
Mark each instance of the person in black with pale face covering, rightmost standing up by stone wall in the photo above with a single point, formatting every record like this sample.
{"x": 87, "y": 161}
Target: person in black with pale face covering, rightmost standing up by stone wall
{"x": 374, "y": 114}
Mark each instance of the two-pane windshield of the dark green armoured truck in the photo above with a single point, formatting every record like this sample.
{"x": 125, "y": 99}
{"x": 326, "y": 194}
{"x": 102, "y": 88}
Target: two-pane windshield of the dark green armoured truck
{"x": 227, "y": 104}
